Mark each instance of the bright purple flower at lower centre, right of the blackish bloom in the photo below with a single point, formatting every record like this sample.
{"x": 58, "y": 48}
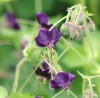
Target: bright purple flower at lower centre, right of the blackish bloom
{"x": 62, "y": 80}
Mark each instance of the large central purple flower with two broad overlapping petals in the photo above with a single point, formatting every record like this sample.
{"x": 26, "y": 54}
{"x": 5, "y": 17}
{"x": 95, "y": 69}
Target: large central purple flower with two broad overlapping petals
{"x": 47, "y": 38}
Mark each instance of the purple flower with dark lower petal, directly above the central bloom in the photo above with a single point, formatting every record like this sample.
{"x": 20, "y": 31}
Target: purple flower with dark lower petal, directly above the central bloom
{"x": 42, "y": 19}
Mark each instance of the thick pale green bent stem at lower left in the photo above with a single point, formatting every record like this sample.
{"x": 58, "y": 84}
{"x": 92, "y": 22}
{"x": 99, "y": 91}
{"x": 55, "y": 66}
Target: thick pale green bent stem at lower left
{"x": 18, "y": 68}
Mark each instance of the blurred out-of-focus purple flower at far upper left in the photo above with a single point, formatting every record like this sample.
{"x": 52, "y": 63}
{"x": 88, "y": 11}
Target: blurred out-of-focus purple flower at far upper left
{"x": 11, "y": 21}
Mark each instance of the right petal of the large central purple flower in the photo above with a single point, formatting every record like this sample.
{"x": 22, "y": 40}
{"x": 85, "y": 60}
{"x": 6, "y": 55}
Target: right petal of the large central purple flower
{"x": 55, "y": 35}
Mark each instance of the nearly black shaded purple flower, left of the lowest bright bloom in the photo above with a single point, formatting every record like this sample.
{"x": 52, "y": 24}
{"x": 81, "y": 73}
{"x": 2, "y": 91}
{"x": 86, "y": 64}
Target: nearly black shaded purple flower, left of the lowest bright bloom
{"x": 44, "y": 72}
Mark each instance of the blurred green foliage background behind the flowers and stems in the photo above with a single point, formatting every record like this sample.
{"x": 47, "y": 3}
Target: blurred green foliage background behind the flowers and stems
{"x": 11, "y": 43}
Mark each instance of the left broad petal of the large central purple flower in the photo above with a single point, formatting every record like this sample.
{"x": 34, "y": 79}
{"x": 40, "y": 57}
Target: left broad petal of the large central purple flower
{"x": 42, "y": 38}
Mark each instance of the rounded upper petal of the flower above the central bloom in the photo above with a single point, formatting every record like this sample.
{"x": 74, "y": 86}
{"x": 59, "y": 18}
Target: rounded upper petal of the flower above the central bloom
{"x": 42, "y": 18}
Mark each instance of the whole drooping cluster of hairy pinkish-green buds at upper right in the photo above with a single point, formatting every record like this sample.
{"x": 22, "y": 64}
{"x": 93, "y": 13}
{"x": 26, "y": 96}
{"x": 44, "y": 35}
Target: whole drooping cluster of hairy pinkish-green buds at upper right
{"x": 77, "y": 23}
